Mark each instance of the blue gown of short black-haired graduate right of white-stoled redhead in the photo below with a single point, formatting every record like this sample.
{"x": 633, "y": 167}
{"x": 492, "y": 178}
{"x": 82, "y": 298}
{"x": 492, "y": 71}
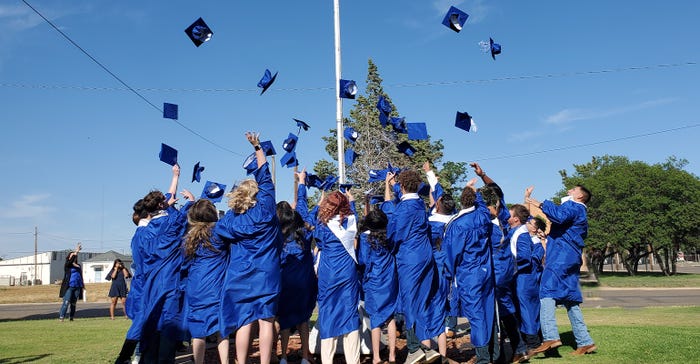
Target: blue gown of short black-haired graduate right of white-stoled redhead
{"x": 379, "y": 282}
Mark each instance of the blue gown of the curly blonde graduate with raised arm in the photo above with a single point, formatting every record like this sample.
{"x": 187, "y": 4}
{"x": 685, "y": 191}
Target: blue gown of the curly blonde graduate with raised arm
{"x": 252, "y": 283}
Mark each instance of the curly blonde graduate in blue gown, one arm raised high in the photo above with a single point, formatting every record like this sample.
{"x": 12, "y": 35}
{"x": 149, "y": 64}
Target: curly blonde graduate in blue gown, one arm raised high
{"x": 252, "y": 283}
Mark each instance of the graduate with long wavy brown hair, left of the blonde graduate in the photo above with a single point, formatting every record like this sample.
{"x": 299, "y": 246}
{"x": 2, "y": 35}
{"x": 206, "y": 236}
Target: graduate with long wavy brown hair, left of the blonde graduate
{"x": 206, "y": 257}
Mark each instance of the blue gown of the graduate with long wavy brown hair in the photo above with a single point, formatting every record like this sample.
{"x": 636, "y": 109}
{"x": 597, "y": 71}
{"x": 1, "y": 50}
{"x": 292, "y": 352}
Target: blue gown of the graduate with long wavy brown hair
{"x": 205, "y": 277}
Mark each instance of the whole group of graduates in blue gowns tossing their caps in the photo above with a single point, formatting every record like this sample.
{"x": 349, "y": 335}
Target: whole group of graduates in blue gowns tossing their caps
{"x": 199, "y": 274}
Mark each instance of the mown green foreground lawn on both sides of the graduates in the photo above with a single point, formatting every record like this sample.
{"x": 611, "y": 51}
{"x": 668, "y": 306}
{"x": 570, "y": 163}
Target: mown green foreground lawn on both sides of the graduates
{"x": 650, "y": 335}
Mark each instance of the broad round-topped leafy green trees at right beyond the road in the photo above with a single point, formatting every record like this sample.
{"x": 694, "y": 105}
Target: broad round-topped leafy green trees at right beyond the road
{"x": 638, "y": 210}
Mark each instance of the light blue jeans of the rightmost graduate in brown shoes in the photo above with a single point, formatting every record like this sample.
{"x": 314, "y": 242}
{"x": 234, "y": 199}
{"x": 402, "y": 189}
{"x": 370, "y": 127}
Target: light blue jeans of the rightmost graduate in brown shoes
{"x": 549, "y": 322}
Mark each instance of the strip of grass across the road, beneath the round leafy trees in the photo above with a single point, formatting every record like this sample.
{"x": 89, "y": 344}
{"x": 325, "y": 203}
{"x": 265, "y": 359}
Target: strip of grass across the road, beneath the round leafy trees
{"x": 648, "y": 279}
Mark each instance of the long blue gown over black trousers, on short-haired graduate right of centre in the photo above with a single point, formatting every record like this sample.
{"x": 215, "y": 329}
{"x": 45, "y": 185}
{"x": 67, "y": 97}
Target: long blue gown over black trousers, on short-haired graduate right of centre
{"x": 469, "y": 255}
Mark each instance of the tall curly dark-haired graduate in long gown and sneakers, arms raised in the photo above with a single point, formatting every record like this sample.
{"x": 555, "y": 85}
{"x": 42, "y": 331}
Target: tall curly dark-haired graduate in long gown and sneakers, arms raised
{"x": 408, "y": 232}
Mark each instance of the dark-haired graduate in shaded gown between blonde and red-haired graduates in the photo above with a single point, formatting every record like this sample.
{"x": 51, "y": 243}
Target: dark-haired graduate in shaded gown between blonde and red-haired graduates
{"x": 299, "y": 283}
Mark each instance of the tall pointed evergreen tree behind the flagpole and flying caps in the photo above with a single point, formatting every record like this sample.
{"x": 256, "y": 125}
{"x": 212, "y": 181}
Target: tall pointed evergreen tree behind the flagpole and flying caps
{"x": 377, "y": 145}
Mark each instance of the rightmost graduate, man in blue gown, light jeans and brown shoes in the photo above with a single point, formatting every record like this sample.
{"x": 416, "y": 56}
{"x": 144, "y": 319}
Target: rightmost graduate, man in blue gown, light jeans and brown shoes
{"x": 560, "y": 277}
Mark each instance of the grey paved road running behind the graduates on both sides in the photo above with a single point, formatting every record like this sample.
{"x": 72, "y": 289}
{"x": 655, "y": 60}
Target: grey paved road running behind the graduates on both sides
{"x": 600, "y": 297}
